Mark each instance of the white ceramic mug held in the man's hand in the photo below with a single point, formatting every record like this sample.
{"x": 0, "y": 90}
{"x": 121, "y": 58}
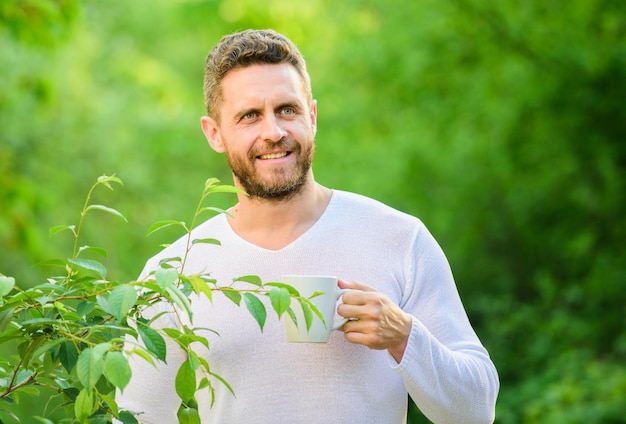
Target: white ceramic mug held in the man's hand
{"x": 326, "y": 303}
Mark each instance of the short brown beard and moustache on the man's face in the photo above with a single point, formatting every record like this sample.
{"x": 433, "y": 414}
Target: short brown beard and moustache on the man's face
{"x": 284, "y": 182}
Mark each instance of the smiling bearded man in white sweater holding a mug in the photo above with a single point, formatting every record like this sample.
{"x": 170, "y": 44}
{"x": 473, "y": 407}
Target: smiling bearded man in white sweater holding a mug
{"x": 408, "y": 331}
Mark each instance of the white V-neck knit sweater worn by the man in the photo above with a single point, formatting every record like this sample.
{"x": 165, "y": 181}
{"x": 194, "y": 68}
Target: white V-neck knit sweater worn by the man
{"x": 445, "y": 369}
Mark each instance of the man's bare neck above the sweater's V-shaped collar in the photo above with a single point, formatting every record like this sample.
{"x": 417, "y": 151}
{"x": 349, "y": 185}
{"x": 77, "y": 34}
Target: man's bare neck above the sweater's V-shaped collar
{"x": 274, "y": 224}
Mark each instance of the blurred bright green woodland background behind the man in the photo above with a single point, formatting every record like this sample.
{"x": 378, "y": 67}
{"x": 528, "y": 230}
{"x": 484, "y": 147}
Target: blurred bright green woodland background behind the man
{"x": 502, "y": 125}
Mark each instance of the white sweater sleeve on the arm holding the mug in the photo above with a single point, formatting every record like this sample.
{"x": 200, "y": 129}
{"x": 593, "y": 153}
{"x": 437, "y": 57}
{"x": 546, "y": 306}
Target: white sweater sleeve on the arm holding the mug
{"x": 445, "y": 368}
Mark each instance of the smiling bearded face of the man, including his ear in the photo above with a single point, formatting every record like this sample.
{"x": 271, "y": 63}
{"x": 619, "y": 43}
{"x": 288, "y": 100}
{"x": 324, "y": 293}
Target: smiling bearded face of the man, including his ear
{"x": 267, "y": 130}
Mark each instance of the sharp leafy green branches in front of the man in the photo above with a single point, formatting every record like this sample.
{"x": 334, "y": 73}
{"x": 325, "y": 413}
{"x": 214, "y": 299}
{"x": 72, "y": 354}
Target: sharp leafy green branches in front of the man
{"x": 70, "y": 331}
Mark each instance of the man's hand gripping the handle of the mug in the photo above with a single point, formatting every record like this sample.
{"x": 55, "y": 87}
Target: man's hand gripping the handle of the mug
{"x": 375, "y": 321}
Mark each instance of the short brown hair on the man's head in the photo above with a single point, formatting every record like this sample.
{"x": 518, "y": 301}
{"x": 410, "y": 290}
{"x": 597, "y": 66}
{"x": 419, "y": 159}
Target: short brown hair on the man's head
{"x": 247, "y": 48}
